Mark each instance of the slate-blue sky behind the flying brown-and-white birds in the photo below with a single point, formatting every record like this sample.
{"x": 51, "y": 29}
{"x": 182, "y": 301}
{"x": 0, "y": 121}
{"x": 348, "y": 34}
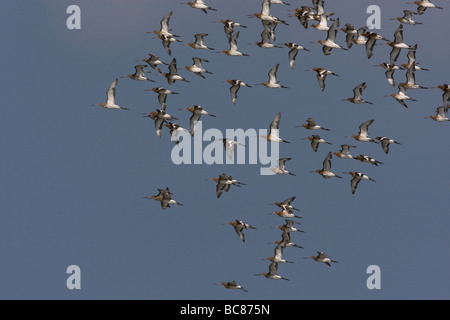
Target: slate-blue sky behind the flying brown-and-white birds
{"x": 74, "y": 176}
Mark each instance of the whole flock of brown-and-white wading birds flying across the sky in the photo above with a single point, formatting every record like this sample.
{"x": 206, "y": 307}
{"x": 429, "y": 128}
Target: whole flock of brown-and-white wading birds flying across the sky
{"x": 316, "y": 13}
